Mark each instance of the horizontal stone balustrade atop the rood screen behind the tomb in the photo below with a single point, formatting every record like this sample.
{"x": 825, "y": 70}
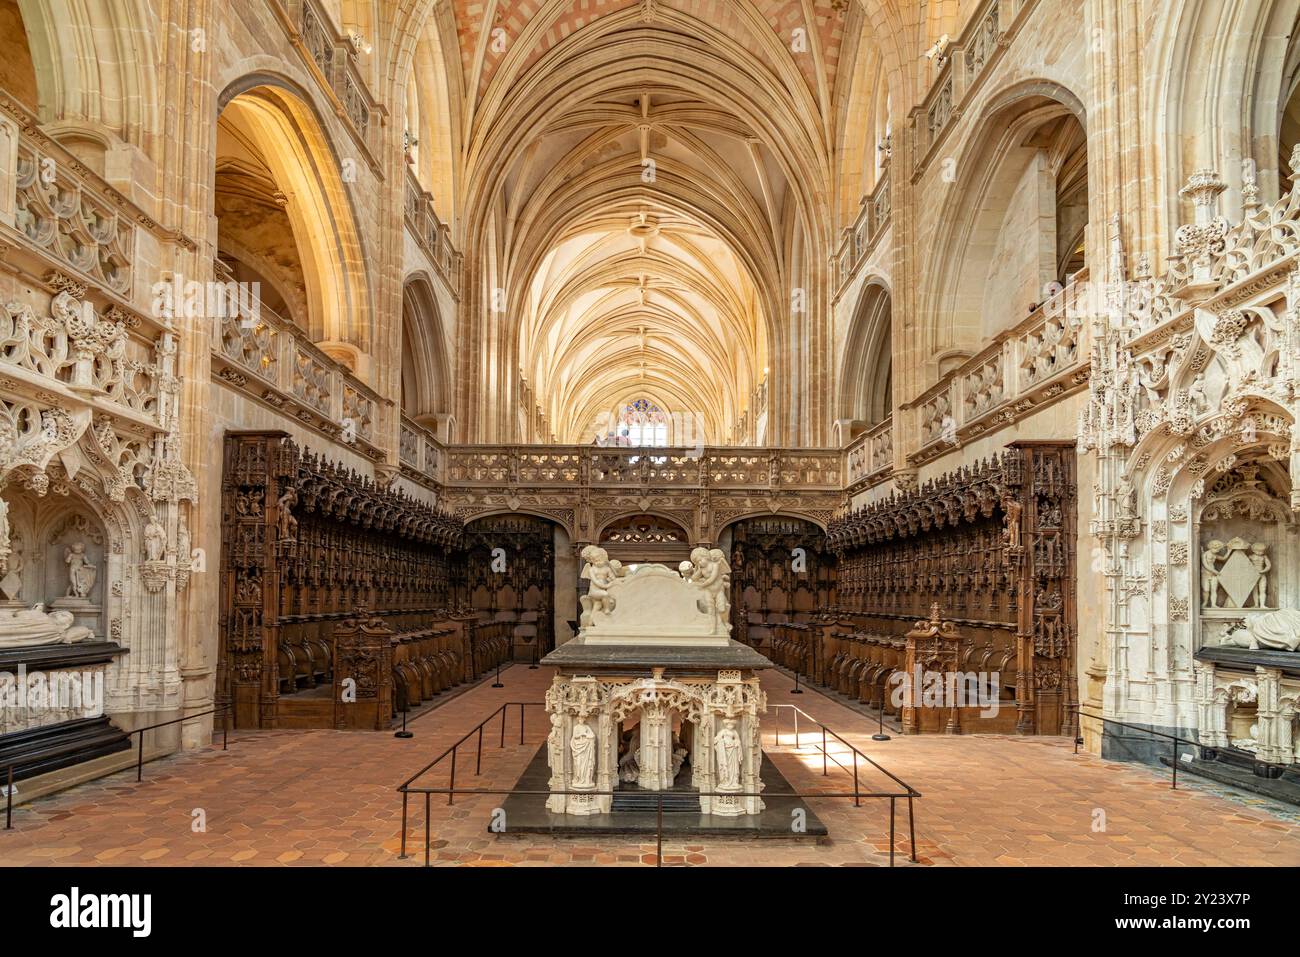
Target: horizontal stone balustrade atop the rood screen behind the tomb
{"x": 587, "y": 466}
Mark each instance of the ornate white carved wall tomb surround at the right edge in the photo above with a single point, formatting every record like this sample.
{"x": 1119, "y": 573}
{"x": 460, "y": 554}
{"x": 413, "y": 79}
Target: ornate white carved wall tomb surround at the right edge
{"x": 1194, "y": 399}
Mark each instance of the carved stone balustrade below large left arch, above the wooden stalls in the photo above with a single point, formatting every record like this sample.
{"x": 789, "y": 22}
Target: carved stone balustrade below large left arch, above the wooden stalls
{"x": 275, "y": 362}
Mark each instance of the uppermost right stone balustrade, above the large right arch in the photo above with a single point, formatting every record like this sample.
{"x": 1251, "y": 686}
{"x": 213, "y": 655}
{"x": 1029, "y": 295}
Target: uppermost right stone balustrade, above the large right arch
{"x": 968, "y": 62}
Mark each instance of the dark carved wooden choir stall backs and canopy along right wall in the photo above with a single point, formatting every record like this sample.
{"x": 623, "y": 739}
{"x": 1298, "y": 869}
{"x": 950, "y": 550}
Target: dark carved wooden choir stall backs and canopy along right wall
{"x": 994, "y": 545}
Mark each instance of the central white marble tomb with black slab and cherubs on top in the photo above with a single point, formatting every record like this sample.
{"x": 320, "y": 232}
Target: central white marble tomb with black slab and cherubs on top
{"x": 653, "y": 694}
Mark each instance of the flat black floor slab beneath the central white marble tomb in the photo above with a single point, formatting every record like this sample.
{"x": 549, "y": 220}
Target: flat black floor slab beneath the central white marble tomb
{"x": 528, "y": 815}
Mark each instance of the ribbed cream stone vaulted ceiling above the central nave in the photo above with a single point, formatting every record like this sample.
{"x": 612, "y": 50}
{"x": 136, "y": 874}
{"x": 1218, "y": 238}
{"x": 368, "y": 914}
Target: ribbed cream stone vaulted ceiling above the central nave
{"x": 644, "y": 183}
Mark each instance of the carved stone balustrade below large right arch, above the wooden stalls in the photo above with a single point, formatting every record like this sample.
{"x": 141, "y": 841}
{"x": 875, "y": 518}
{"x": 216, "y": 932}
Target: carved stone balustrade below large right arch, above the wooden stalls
{"x": 1020, "y": 371}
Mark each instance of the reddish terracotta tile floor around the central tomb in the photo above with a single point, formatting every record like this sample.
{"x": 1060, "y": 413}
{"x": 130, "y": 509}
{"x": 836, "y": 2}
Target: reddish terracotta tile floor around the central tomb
{"x": 328, "y": 798}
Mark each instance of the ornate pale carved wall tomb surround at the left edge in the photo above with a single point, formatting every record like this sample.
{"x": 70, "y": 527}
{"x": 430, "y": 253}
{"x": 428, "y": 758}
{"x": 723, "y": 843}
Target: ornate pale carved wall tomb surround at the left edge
{"x": 93, "y": 488}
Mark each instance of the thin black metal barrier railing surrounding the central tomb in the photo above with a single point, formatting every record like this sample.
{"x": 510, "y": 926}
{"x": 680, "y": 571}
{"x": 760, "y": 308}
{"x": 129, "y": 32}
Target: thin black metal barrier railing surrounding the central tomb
{"x": 409, "y": 786}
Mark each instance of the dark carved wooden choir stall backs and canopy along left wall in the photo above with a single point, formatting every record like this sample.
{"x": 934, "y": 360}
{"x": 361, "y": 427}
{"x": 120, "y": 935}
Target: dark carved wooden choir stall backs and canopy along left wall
{"x": 305, "y": 545}
